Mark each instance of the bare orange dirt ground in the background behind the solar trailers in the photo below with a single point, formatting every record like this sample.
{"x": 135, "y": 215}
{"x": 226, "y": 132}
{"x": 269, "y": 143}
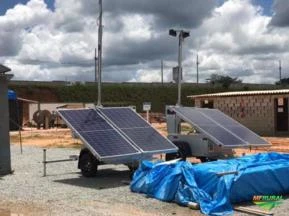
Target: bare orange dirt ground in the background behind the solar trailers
{"x": 62, "y": 138}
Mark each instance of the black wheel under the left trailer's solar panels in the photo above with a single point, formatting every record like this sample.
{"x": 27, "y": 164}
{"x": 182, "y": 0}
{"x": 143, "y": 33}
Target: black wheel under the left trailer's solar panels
{"x": 88, "y": 164}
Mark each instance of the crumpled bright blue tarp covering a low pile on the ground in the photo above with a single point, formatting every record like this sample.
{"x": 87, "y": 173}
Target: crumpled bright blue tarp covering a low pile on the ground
{"x": 182, "y": 182}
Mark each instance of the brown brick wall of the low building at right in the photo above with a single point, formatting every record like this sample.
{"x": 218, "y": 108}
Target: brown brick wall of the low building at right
{"x": 255, "y": 112}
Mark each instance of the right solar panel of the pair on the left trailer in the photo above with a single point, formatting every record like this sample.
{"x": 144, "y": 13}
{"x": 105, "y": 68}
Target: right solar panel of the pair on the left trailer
{"x": 138, "y": 130}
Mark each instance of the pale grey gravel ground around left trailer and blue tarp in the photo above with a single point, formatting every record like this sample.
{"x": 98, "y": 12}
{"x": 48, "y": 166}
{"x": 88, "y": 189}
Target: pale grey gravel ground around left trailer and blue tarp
{"x": 65, "y": 192}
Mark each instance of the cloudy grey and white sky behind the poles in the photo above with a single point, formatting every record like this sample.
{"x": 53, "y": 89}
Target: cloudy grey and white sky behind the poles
{"x": 55, "y": 39}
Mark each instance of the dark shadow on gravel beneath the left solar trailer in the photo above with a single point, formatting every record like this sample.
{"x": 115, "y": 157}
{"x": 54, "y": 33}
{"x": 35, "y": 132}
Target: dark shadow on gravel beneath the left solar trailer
{"x": 104, "y": 179}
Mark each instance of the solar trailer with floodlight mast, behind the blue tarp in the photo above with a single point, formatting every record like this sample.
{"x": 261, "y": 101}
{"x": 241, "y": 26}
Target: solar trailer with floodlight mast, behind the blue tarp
{"x": 212, "y": 134}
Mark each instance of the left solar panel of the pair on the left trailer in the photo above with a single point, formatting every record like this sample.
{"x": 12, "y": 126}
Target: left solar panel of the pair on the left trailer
{"x": 102, "y": 139}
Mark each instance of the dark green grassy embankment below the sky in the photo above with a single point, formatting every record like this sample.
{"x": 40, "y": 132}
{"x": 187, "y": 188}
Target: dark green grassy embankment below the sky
{"x": 121, "y": 94}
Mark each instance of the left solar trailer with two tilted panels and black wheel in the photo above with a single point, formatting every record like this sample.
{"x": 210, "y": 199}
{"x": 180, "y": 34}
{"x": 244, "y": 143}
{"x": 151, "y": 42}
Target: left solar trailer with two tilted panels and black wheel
{"x": 114, "y": 135}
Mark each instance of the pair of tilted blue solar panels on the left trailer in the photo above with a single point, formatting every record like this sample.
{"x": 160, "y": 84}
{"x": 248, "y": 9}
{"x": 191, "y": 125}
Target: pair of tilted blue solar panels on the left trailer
{"x": 116, "y": 132}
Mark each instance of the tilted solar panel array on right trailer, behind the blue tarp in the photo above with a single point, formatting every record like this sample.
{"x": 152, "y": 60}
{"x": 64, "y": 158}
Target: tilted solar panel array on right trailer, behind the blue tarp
{"x": 219, "y": 127}
